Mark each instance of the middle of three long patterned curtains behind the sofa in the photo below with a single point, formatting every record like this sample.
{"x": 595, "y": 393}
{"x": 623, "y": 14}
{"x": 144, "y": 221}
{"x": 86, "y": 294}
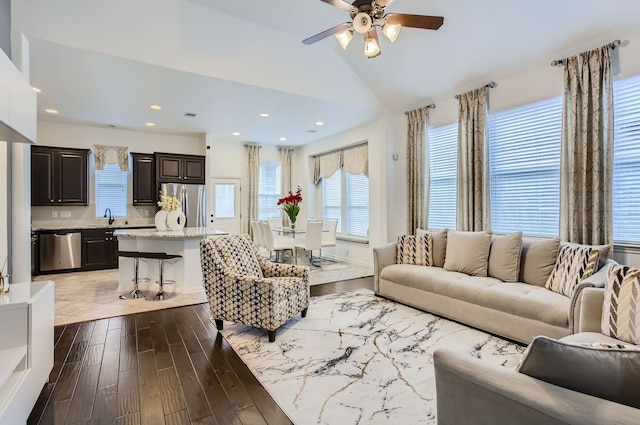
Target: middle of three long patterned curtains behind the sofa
{"x": 473, "y": 171}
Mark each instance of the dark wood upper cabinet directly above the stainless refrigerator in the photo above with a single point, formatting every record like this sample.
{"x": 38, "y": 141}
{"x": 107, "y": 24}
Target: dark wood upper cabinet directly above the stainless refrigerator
{"x": 172, "y": 168}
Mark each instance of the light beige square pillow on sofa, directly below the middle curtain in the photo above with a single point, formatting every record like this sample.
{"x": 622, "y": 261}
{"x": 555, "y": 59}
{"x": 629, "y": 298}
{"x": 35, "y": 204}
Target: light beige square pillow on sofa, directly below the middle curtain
{"x": 467, "y": 252}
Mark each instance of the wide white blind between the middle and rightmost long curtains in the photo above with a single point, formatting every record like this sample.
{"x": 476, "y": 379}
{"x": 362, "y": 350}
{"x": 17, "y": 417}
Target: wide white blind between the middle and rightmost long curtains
{"x": 524, "y": 161}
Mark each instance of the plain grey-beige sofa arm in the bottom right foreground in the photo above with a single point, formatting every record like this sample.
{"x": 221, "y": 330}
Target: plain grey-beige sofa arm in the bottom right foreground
{"x": 470, "y": 391}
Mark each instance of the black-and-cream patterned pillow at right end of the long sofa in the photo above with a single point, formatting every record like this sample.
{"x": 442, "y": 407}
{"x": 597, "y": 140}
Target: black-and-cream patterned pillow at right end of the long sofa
{"x": 574, "y": 263}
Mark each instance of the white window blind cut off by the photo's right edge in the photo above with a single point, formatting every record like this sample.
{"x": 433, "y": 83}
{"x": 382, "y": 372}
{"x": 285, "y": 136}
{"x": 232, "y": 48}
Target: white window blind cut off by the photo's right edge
{"x": 626, "y": 162}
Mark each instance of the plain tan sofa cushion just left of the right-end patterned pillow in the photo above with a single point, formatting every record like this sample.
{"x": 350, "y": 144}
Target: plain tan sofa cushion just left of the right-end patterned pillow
{"x": 537, "y": 258}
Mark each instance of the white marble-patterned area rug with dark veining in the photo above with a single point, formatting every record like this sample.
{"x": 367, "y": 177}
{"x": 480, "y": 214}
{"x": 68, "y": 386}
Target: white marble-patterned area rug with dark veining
{"x": 360, "y": 359}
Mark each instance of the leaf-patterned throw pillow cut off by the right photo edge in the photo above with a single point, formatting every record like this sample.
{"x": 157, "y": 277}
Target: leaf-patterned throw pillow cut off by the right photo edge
{"x": 621, "y": 307}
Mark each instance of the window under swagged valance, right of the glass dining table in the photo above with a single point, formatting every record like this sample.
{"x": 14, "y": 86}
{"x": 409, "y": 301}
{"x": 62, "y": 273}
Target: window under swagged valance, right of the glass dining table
{"x": 346, "y": 197}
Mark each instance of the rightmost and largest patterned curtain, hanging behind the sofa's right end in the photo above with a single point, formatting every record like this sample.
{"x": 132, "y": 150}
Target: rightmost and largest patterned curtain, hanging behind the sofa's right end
{"x": 587, "y": 149}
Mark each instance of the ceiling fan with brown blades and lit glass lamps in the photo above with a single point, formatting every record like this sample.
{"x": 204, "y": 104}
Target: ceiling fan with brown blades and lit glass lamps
{"x": 366, "y": 15}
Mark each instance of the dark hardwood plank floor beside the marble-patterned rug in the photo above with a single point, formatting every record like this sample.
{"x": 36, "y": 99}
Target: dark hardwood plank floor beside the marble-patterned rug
{"x": 163, "y": 367}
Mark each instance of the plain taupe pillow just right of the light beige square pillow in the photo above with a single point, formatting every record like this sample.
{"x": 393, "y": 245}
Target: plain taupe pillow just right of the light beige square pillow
{"x": 504, "y": 257}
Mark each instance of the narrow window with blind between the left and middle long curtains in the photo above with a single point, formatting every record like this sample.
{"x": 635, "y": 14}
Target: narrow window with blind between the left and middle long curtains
{"x": 443, "y": 161}
